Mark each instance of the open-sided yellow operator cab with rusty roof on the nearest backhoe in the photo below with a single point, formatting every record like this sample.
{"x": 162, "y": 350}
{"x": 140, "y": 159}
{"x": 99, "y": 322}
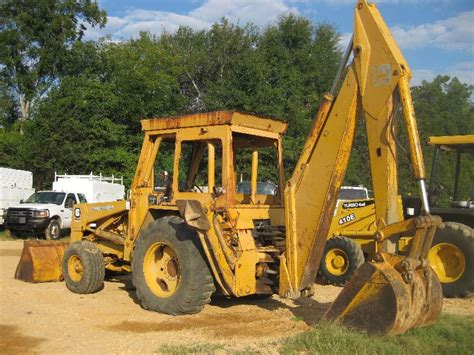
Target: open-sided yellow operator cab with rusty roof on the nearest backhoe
{"x": 202, "y": 156}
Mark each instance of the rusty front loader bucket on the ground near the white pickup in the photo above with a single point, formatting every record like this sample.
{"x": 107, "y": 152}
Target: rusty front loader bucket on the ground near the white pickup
{"x": 41, "y": 261}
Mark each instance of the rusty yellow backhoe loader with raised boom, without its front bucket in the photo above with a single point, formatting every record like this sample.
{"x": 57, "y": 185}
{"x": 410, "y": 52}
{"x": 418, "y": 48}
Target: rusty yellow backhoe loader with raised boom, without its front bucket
{"x": 187, "y": 233}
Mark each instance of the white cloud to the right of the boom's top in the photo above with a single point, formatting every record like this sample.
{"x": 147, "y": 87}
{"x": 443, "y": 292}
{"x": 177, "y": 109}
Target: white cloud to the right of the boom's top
{"x": 454, "y": 33}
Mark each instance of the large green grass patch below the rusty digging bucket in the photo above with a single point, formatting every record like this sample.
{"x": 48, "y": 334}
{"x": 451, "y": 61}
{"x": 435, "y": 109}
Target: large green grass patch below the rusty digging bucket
{"x": 450, "y": 335}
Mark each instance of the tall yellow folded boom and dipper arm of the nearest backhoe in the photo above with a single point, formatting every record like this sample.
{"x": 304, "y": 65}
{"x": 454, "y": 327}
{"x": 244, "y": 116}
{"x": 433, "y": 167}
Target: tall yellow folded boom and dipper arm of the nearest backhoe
{"x": 375, "y": 82}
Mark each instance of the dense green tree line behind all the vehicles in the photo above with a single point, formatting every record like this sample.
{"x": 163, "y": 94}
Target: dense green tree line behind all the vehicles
{"x": 89, "y": 120}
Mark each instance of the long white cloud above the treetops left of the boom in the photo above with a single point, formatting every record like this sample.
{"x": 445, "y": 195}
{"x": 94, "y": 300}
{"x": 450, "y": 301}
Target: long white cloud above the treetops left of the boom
{"x": 259, "y": 12}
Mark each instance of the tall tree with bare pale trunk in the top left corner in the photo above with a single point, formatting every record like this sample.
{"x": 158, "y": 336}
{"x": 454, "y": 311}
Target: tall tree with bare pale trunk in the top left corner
{"x": 35, "y": 41}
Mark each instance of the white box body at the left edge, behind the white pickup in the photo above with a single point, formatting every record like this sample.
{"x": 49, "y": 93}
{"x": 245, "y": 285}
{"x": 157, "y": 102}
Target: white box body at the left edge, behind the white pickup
{"x": 15, "y": 185}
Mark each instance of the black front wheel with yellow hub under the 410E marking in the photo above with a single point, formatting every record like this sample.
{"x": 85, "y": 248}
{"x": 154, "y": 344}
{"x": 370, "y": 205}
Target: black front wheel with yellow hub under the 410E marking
{"x": 341, "y": 258}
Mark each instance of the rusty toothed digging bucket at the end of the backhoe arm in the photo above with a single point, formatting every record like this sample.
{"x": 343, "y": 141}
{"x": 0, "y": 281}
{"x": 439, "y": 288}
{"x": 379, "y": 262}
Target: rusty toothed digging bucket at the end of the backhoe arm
{"x": 378, "y": 300}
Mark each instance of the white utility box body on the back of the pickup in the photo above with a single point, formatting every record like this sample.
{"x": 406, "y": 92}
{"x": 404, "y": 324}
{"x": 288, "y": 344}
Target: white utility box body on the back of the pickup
{"x": 96, "y": 188}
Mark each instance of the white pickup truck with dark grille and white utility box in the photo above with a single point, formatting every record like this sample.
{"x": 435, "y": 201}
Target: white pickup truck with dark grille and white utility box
{"x": 49, "y": 213}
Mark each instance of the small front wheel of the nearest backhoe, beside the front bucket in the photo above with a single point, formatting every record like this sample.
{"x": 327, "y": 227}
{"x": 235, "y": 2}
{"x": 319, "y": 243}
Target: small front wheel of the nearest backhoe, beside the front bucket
{"x": 83, "y": 267}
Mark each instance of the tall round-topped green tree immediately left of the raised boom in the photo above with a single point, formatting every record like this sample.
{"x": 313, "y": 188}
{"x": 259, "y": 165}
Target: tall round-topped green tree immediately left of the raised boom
{"x": 302, "y": 61}
